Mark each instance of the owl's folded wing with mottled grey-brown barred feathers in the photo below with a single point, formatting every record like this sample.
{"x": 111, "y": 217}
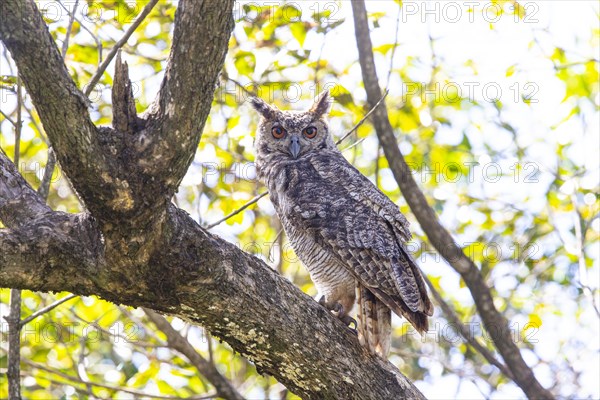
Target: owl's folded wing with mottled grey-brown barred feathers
{"x": 362, "y": 238}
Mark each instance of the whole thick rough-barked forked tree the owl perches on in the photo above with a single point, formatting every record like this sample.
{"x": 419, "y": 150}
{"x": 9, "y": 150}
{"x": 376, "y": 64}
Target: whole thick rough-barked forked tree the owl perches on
{"x": 132, "y": 246}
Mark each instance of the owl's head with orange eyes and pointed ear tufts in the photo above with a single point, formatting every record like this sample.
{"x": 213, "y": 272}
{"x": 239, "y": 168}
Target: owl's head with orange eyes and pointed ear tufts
{"x": 292, "y": 133}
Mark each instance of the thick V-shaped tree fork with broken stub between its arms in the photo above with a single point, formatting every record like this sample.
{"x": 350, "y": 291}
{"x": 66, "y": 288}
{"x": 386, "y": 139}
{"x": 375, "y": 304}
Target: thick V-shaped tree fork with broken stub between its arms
{"x": 129, "y": 173}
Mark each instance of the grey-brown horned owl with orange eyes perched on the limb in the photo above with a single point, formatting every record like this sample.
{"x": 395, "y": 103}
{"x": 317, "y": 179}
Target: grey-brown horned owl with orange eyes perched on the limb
{"x": 344, "y": 230}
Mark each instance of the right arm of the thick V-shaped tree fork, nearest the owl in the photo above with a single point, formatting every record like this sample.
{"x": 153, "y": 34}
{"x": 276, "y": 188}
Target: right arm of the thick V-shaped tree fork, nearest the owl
{"x": 200, "y": 37}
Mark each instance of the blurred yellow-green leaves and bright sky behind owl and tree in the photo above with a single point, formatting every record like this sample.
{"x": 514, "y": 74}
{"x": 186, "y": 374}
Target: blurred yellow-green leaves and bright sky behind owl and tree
{"x": 497, "y": 113}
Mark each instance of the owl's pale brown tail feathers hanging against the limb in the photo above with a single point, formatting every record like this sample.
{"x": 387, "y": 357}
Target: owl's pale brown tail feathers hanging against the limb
{"x": 375, "y": 322}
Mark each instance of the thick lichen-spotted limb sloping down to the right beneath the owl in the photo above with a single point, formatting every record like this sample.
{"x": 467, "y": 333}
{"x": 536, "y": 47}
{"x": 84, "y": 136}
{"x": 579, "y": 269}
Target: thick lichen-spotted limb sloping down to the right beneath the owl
{"x": 208, "y": 281}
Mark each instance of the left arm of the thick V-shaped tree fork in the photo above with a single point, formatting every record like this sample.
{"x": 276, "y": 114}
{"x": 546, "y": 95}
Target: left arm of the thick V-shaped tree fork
{"x": 61, "y": 106}
